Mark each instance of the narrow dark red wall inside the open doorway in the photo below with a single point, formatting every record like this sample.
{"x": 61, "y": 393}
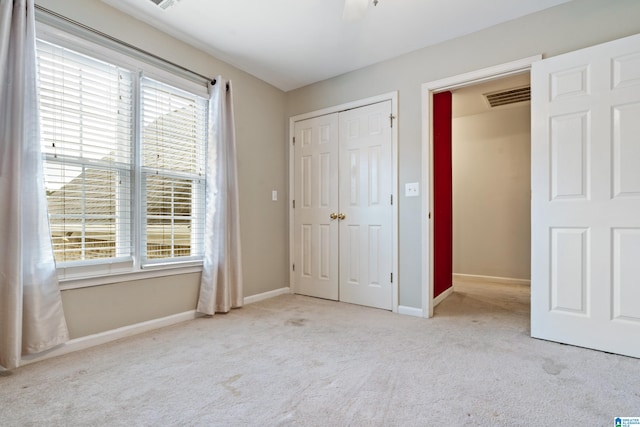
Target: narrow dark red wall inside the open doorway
{"x": 442, "y": 203}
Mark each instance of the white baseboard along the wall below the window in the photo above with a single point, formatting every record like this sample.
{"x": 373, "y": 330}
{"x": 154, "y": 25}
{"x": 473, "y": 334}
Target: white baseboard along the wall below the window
{"x": 89, "y": 341}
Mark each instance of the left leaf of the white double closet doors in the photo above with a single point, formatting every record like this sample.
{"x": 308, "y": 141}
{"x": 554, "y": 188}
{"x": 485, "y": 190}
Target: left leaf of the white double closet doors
{"x": 316, "y": 206}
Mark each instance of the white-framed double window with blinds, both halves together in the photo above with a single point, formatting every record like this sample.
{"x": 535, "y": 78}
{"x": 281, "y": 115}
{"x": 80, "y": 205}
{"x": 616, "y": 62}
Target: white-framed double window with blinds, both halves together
{"x": 124, "y": 161}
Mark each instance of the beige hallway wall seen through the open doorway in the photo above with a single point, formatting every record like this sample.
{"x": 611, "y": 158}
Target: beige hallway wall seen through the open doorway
{"x": 492, "y": 193}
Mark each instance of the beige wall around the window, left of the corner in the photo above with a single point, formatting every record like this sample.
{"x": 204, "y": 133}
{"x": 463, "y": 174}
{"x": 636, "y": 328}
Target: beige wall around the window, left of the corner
{"x": 261, "y": 139}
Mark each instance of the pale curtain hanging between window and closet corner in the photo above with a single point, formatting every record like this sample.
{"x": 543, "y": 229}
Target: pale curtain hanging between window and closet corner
{"x": 221, "y": 283}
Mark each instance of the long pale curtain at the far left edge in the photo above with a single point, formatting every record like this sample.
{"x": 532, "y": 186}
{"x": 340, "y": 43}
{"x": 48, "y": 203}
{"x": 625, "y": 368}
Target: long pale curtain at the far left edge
{"x": 31, "y": 317}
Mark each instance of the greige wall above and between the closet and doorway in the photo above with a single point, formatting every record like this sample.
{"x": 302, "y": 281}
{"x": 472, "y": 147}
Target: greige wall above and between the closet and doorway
{"x": 568, "y": 27}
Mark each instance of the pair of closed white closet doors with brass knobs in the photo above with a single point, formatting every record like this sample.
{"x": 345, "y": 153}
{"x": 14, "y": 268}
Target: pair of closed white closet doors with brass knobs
{"x": 343, "y": 207}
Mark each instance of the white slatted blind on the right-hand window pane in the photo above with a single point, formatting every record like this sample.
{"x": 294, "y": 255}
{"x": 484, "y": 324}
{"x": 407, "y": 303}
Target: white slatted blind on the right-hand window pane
{"x": 173, "y": 172}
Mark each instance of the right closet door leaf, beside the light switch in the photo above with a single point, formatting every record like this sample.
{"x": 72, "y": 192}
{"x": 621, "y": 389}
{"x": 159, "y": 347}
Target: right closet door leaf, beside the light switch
{"x": 366, "y": 247}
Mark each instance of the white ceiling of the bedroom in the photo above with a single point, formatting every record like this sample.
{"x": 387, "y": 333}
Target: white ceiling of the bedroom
{"x": 293, "y": 43}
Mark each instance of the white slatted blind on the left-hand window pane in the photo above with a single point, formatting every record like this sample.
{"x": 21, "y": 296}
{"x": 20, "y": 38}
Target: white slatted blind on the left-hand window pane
{"x": 86, "y": 136}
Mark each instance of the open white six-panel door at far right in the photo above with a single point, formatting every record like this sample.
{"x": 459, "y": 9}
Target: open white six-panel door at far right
{"x": 585, "y": 284}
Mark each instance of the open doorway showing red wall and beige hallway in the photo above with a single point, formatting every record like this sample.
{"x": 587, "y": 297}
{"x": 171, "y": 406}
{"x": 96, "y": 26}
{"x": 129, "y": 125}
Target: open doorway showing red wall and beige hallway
{"x": 482, "y": 169}
